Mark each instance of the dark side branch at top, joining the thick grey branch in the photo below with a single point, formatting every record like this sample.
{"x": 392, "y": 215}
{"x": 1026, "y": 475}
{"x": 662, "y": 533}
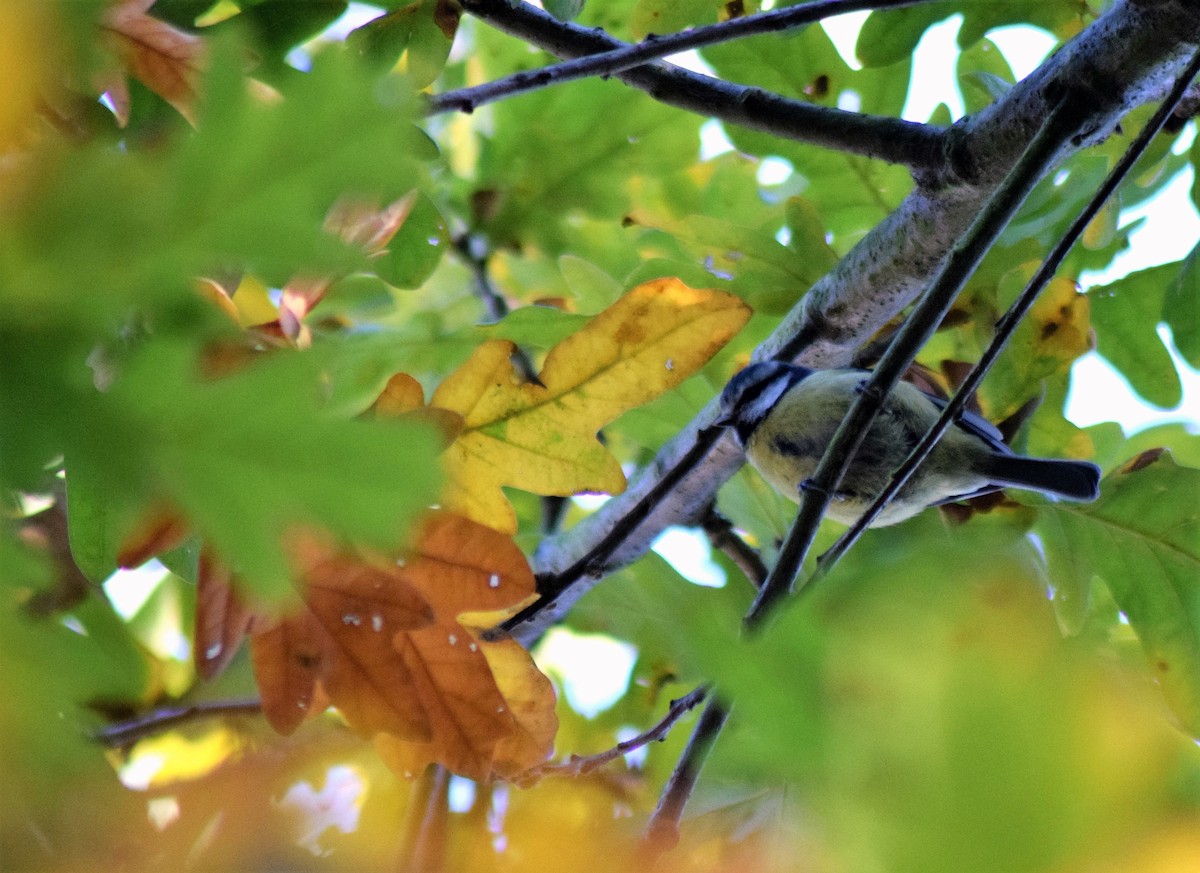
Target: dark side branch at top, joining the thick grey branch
{"x": 915, "y": 146}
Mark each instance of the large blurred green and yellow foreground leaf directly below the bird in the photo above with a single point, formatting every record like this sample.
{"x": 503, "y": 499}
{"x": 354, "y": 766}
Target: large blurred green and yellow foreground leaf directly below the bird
{"x": 926, "y": 709}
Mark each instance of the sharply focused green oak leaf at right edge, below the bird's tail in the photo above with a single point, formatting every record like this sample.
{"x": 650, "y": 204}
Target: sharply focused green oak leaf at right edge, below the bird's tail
{"x": 1143, "y": 539}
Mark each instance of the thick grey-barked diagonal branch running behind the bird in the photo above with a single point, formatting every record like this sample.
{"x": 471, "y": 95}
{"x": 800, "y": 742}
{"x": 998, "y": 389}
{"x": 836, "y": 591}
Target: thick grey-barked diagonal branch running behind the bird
{"x": 1126, "y": 58}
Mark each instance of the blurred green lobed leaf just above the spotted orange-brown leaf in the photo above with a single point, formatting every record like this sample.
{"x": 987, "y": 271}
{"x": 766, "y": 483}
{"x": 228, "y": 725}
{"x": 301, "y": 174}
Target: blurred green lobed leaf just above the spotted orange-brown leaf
{"x": 251, "y": 457}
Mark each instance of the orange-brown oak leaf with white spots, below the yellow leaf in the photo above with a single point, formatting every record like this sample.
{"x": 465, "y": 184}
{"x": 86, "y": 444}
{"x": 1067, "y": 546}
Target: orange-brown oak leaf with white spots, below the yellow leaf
{"x": 386, "y": 640}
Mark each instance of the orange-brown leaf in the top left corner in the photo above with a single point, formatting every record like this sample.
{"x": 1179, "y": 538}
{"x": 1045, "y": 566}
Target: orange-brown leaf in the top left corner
{"x": 166, "y": 61}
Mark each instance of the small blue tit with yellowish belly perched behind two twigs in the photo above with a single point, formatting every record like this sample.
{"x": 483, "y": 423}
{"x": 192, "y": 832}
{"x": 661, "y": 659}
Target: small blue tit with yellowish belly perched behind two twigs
{"x": 784, "y": 417}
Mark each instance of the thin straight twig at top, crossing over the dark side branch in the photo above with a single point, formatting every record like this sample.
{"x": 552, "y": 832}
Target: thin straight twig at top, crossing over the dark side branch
{"x": 655, "y": 47}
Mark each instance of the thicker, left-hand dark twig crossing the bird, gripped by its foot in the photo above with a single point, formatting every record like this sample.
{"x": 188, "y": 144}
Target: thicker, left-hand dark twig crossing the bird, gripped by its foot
{"x": 963, "y": 260}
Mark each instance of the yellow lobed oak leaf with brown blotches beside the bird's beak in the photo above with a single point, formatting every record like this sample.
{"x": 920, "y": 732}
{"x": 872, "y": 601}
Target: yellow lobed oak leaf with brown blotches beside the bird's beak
{"x": 543, "y": 438}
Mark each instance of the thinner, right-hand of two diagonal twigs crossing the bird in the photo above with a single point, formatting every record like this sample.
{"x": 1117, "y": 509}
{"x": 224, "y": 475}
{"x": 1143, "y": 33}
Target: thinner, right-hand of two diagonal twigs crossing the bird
{"x": 1012, "y": 320}
